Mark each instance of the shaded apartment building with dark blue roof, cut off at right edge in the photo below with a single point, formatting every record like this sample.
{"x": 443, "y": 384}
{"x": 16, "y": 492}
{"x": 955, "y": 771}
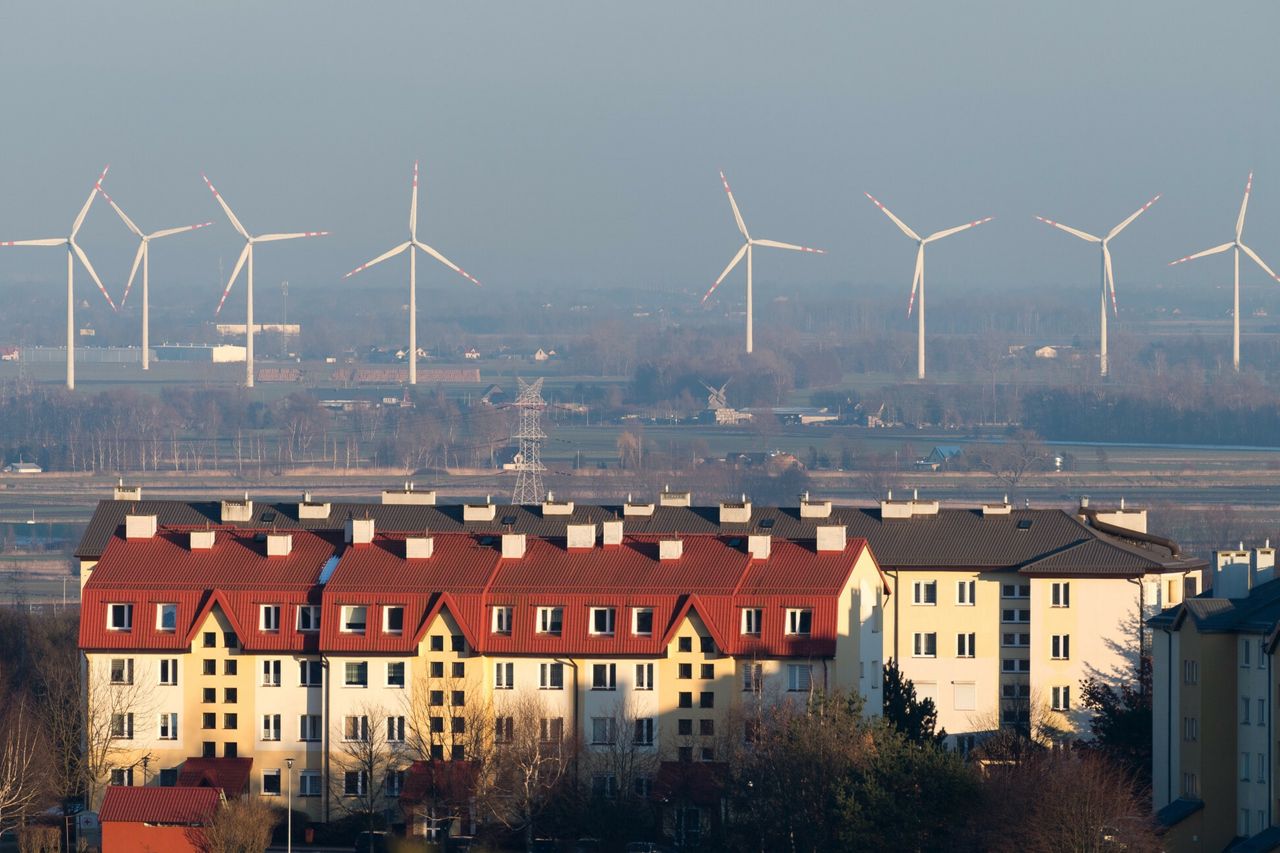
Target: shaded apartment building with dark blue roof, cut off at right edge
{"x": 1214, "y": 695}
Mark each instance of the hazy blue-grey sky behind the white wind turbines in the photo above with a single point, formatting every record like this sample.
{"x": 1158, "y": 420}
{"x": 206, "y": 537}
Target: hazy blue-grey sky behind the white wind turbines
{"x": 579, "y": 143}
